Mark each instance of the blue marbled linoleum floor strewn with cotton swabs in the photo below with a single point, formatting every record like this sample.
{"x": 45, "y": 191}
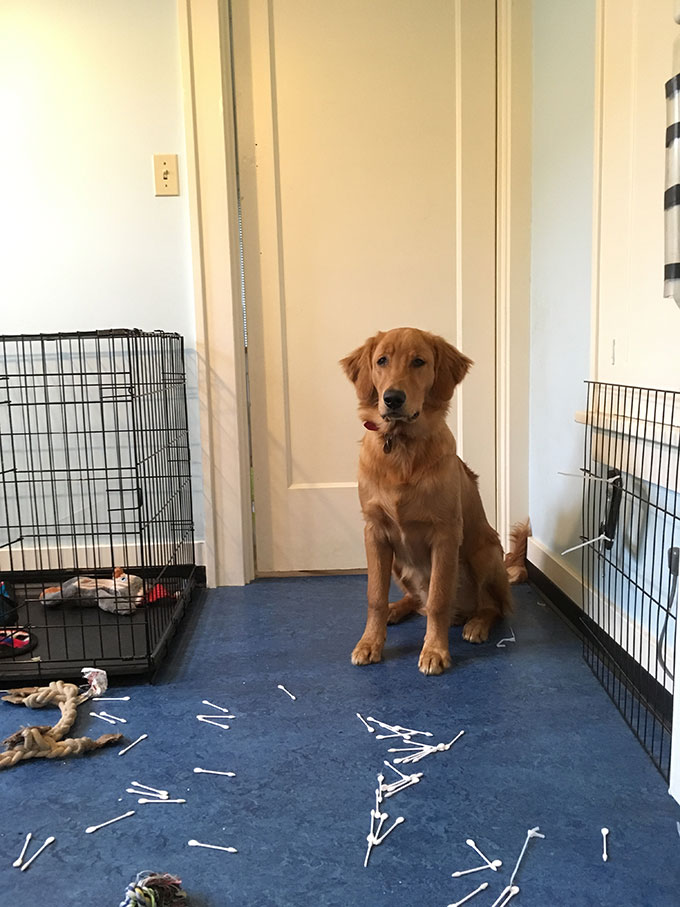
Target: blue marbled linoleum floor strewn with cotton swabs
{"x": 543, "y": 746}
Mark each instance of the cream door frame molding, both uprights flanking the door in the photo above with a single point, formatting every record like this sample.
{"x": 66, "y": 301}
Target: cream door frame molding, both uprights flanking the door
{"x": 205, "y": 54}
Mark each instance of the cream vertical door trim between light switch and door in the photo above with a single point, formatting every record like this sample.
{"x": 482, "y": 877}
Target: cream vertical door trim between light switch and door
{"x": 211, "y": 165}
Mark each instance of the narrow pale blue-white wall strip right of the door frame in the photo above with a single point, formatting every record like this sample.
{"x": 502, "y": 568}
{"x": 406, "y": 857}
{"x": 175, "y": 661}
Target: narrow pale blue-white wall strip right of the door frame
{"x": 562, "y": 176}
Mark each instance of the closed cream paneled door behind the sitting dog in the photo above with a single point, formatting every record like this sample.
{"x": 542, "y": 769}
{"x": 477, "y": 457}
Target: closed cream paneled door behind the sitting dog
{"x": 367, "y": 137}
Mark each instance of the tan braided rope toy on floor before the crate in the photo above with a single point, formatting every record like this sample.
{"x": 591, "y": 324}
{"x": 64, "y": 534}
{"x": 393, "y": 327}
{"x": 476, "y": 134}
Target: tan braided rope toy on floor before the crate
{"x": 44, "y": 741}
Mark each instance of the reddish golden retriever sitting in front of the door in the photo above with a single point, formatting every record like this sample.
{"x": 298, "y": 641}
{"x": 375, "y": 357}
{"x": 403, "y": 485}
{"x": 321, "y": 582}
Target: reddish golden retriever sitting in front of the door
{"x": 424, "y": 519}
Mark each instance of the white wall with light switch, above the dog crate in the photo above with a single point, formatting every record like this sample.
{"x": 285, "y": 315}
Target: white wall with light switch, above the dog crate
{"x": 89, "y": 90}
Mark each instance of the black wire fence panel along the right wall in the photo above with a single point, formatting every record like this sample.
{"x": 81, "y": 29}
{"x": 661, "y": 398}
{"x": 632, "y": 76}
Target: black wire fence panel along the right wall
{"x": 631, "y": 516}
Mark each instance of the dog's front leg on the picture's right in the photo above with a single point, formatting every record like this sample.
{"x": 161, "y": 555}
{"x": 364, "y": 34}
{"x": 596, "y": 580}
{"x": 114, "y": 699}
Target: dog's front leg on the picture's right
{"x": 435, "y": 656}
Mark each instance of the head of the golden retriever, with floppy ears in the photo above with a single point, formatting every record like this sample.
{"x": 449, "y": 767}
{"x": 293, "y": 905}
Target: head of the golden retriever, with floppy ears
{"x": 405, "y": 372}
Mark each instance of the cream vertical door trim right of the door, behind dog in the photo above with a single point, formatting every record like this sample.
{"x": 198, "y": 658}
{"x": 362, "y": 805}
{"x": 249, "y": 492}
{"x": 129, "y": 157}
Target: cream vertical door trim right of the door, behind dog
{"x": 513, "y": 261}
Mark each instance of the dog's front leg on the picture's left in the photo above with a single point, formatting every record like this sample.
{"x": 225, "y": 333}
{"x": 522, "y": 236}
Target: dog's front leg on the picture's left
{"x": 379, "y": 559}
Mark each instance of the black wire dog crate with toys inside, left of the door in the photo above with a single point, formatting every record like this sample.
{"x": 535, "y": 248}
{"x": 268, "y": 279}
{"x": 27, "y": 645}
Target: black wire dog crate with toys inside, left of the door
{"x": 97, "y": 557}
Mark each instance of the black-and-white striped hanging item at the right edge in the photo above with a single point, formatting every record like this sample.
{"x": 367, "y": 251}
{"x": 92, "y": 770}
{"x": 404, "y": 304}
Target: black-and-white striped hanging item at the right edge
{"x": 671, "y": 286}
